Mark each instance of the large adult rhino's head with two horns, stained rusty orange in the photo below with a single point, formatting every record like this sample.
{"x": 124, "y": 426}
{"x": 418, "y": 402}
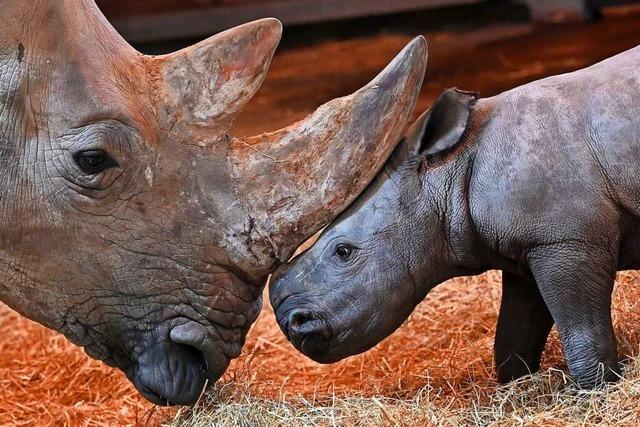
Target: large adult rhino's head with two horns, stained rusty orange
{"x": 129, "y": 220}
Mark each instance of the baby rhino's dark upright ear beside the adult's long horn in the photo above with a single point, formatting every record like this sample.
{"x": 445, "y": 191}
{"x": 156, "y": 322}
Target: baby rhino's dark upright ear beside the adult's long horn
{"x": 440, "y": 128}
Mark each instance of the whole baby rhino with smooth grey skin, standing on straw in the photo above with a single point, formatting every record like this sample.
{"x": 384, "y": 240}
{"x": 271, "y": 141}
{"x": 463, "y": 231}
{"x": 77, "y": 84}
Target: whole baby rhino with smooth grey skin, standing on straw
{"x": 541, "y": 182}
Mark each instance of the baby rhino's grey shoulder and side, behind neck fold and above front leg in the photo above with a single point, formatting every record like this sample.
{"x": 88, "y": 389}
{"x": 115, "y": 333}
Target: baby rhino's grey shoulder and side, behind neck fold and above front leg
{"x": 545, "y": 154}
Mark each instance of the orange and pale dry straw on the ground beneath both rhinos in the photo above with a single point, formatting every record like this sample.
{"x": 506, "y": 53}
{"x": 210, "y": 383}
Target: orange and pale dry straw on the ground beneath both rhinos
{"x": 437, "y": 369}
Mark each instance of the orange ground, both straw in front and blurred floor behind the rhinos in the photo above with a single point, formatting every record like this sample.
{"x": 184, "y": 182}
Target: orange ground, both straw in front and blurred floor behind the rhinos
{"x": 438, "y": 367}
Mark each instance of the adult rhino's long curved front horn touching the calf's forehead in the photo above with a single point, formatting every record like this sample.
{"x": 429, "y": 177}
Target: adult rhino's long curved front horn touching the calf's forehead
{"x": 295, "y": 180}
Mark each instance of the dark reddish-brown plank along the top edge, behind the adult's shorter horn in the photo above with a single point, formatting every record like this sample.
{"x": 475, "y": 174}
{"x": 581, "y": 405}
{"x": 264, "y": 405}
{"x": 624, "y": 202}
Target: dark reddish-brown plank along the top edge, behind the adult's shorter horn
{"x": 181, "y": 24}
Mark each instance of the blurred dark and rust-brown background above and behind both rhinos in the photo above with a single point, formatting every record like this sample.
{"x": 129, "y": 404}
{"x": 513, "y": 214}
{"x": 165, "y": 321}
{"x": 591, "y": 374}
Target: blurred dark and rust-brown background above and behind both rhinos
{"x": 331, "y": 48}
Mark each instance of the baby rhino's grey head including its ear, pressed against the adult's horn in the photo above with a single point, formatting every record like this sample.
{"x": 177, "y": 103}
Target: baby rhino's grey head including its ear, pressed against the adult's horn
{"x": 377, "y": 260}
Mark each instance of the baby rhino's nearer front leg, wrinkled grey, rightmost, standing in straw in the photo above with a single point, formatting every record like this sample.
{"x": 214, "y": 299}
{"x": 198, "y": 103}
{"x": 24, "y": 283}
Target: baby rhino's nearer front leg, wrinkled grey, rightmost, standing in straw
{"x": 576, "y": 281}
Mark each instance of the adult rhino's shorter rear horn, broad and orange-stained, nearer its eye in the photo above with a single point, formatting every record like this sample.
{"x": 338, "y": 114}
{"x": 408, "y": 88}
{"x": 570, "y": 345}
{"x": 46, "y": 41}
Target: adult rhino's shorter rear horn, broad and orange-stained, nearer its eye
{"x": 203, "y": 87}
